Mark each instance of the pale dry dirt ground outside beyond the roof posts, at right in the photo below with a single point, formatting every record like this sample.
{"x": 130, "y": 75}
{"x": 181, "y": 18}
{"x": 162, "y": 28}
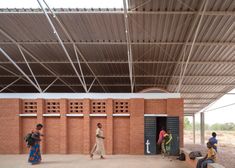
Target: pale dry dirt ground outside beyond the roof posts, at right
{"x": 226, "y": 146}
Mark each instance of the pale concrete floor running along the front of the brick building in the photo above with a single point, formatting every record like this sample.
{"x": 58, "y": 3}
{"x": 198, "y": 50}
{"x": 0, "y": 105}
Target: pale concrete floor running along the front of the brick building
{"x": 83, "y": 161}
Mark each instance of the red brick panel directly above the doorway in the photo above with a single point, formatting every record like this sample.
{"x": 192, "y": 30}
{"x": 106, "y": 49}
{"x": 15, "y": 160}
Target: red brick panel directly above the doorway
{"x": 155, "y": 106}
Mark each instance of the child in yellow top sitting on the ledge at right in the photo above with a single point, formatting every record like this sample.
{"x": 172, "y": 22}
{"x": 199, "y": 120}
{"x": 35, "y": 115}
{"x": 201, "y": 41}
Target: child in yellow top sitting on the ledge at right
{"x": 209, "y": 158}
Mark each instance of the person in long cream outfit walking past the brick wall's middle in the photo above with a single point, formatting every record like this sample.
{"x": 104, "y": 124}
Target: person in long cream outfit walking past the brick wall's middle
{"x": 99, "y": 145}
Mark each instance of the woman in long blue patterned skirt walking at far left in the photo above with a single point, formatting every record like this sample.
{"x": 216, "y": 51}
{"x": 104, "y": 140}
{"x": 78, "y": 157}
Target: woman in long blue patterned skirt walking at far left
{"x": 35, "y": 154}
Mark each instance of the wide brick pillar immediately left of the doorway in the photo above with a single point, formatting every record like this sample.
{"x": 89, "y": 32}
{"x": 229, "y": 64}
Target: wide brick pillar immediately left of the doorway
{"x": 137, "y": 126}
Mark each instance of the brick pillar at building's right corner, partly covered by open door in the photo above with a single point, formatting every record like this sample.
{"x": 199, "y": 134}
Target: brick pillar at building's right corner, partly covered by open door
{"x": 175, "y": 107}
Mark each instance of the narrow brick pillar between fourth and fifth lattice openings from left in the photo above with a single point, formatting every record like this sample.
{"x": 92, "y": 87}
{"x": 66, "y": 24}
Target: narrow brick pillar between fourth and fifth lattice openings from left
{"x": 109, "y": 126}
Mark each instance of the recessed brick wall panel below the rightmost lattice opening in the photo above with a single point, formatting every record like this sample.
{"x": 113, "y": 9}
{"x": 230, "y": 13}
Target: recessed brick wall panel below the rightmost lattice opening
{"x": 121, "y": 141}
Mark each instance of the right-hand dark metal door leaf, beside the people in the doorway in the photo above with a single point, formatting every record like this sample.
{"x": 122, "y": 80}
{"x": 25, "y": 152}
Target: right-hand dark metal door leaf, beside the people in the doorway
{"x": 173, "y": 125}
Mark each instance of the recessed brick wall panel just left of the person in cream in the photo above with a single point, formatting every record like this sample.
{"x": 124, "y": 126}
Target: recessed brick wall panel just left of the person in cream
{"x": 75, "y": 135}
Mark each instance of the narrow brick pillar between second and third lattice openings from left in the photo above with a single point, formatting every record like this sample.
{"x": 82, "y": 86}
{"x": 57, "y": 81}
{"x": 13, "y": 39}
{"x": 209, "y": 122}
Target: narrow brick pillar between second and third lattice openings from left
{"x": 63, "y": 126}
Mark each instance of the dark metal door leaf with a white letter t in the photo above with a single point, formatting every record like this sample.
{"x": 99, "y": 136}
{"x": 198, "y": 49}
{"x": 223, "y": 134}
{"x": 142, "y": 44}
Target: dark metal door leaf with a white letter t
{"x": 150, "y": 129}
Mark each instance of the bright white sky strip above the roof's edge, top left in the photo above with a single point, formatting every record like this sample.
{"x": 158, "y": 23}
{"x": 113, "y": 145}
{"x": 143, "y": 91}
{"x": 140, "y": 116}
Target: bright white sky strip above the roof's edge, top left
{"x": 62, "y": 3}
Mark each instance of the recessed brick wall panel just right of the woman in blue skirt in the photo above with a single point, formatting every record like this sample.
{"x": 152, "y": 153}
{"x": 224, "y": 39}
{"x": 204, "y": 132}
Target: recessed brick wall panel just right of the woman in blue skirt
{"x": 52, "y": 135}
